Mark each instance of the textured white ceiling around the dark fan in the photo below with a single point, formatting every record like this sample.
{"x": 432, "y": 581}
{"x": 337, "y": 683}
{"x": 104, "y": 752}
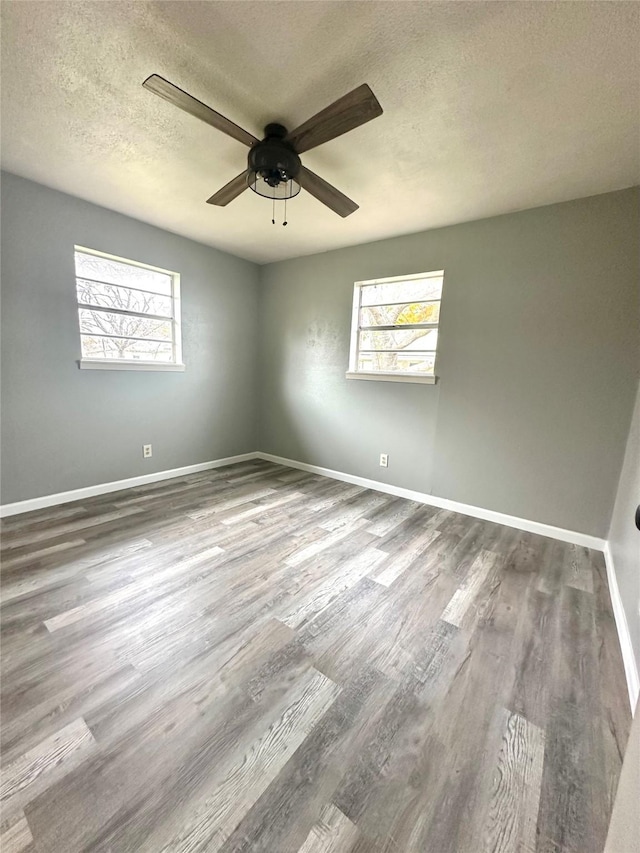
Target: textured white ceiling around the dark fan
{"x": 489, "y": 107}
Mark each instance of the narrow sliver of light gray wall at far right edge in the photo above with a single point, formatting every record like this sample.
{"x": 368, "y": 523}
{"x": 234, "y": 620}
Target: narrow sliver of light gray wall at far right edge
{"x": 624, "y": 537}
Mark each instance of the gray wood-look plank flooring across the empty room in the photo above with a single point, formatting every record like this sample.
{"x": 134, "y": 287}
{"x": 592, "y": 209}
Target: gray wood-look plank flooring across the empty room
{"x": 259, "y": 659}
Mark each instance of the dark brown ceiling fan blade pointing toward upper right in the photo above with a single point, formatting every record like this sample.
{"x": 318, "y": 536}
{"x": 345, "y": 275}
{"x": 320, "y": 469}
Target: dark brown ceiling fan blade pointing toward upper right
{"x": 347, "y": 113}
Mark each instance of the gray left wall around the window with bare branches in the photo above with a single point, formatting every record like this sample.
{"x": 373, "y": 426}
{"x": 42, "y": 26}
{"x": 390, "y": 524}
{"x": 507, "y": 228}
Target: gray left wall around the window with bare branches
{"x": 64, "y": 428}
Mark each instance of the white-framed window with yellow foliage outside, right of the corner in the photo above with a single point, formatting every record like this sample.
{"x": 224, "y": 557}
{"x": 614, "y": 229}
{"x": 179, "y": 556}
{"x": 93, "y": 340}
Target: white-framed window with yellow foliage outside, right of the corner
{"x": 394, "y": 330}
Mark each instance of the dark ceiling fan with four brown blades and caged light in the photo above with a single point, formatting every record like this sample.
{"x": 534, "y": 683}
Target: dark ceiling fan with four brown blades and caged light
{"x": 273, "y": 163}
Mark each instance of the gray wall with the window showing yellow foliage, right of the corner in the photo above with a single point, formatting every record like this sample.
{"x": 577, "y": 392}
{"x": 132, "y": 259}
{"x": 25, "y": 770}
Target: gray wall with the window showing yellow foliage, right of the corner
{"x": 538, "y": 362}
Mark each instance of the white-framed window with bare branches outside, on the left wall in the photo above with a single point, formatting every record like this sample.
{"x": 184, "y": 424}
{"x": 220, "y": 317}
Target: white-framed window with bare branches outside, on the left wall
{"x": 129, "y": 313}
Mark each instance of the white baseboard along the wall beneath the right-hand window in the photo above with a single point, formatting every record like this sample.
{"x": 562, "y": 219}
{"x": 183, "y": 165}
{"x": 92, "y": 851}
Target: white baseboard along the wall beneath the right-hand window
{"x": 444, "y": 503}
